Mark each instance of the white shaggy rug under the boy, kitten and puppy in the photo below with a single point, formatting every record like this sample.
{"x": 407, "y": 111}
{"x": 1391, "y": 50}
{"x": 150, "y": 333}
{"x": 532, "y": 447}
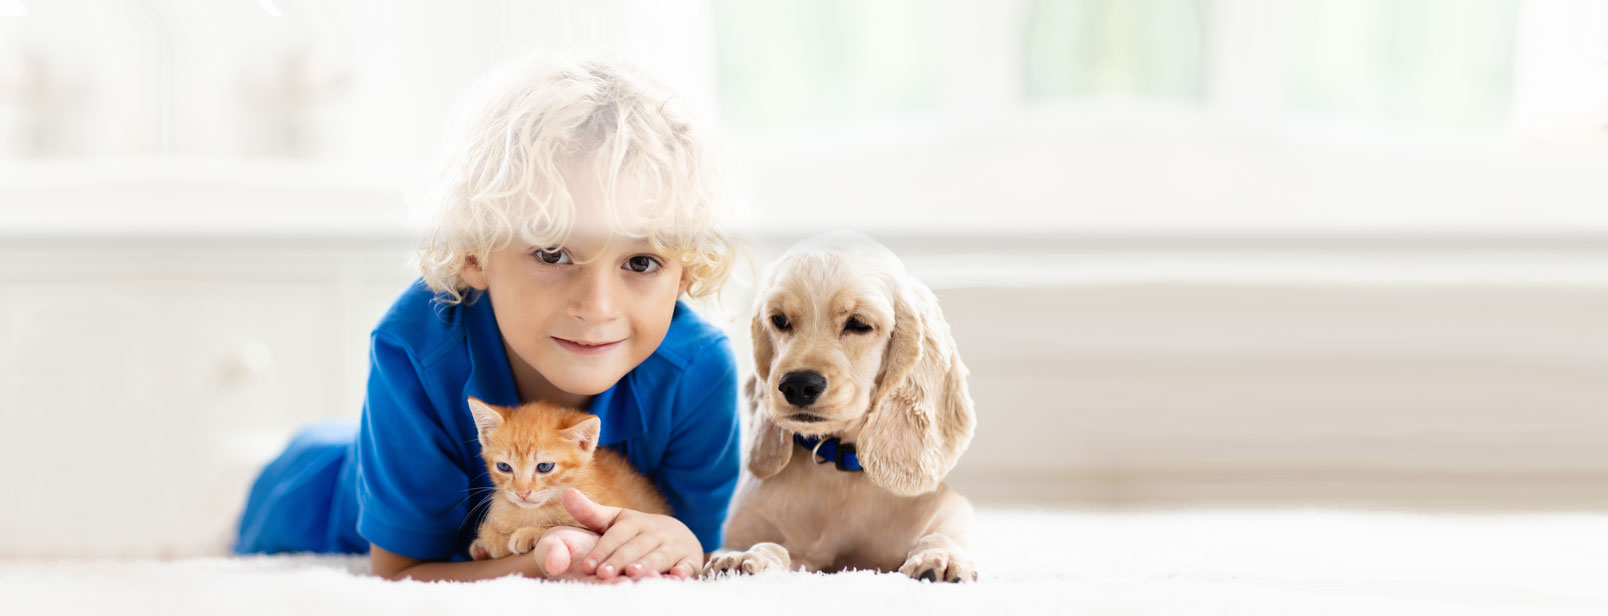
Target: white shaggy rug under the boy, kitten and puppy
{"x": 1033, "y": 562}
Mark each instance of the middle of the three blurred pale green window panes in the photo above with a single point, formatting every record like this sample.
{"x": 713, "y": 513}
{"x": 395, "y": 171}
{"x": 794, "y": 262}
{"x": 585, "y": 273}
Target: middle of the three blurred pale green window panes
{"x": 1086, "y": 49}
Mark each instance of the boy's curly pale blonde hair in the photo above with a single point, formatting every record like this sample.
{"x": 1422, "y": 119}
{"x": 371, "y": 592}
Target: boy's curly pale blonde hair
{"x": 520, "y": 136}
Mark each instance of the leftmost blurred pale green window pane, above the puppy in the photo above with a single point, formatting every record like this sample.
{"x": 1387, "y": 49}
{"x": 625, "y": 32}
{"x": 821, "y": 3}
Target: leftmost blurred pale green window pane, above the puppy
{"x": 789, "y": 64}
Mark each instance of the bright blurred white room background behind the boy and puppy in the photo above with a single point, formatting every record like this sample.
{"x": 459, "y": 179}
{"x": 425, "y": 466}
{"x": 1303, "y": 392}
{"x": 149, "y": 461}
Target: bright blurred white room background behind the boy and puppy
{"x": 1197, "y": 253}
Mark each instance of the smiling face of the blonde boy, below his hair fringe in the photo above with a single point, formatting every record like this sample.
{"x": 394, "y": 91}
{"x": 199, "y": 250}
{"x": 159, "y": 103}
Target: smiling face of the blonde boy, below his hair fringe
{"x": 578, "y": 327}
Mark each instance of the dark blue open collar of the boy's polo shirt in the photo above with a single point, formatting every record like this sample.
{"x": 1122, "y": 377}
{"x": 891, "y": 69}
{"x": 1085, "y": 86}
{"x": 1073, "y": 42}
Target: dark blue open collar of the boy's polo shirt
{"x": 491, "y": 377}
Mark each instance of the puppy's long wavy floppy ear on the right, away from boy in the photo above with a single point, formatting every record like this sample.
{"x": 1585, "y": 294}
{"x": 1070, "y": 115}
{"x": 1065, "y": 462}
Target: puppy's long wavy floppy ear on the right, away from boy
{"x": 921, "y": 417}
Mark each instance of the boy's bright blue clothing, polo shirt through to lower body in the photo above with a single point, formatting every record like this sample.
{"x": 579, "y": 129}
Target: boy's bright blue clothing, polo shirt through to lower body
{"x": 411, "y": 478}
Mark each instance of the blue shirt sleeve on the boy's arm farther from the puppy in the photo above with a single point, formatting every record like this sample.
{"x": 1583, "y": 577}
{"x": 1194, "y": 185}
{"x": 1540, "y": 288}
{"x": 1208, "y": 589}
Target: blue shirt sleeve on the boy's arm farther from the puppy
{"x": 412, "y": 495}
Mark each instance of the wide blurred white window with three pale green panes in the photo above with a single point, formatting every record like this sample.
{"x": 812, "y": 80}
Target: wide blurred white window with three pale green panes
{"x": 1437, "y": 65}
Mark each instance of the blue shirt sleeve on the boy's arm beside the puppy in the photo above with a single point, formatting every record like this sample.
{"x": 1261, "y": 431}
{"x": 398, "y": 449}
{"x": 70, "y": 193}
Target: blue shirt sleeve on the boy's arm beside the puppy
{"x": 703, "y": 461}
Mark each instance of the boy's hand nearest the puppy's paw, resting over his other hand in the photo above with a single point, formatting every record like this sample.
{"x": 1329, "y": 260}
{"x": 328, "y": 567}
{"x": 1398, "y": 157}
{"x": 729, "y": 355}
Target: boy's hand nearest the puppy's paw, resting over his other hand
{"x": 634, "y": 544}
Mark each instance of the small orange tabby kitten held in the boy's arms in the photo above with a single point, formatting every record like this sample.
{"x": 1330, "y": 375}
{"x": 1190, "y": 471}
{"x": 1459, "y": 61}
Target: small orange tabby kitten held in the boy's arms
{"x": 535, "y": 453}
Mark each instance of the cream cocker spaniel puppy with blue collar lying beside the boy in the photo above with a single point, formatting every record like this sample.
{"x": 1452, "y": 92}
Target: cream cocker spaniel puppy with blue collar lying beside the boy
{"x": 859, "y": 409}
